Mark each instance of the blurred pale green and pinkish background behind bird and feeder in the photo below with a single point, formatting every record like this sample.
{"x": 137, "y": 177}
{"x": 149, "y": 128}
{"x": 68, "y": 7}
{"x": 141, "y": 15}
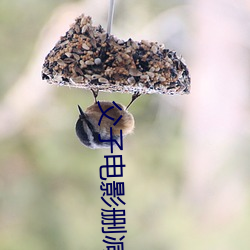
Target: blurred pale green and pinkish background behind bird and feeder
{"x": 187, "y": 163}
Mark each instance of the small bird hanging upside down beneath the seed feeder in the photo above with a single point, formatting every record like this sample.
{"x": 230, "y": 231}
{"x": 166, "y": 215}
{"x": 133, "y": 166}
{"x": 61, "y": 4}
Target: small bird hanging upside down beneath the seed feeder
{"x": 95, "y": 121}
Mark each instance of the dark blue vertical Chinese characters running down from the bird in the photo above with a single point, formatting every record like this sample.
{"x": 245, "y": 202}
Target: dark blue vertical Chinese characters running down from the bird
{"x": 113, "y": 218}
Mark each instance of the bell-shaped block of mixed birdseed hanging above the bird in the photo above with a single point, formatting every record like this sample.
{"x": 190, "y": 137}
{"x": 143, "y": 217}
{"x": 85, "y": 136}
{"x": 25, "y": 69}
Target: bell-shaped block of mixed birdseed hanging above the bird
{"x": 87, "y": 57}
